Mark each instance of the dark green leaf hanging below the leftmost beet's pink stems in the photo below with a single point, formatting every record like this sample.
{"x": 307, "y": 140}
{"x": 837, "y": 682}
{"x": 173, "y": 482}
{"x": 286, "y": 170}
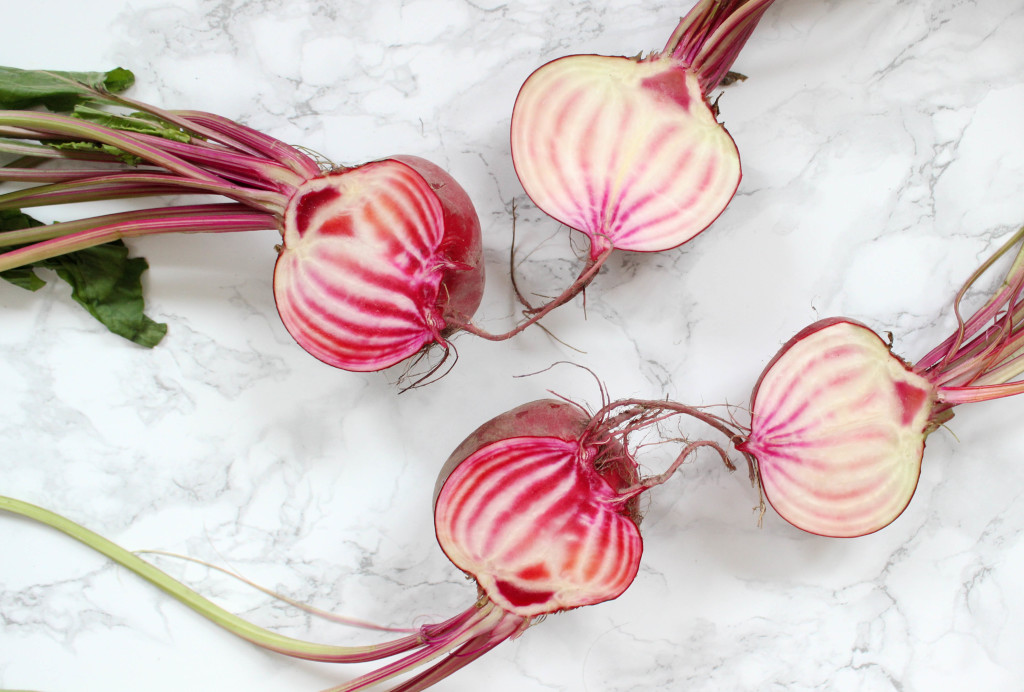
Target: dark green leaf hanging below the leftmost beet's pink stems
{"x": 104, "y": 280}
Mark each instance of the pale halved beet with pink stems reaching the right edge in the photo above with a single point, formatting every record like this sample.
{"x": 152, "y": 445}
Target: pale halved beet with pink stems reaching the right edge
{"x": 839, "y": 422}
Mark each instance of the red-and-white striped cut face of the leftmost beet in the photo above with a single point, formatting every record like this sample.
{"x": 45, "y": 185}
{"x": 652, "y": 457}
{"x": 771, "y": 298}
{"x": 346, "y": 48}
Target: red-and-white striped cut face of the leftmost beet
{"x": 357, "y": 283}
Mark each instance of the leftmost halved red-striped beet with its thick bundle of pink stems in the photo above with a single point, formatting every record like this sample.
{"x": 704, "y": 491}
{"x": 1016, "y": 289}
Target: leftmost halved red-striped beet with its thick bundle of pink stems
{"x": 377, "y": 263}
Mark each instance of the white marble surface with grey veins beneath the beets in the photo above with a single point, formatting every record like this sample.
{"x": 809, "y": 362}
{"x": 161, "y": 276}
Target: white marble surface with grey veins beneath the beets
{"x": 884, "y": 158}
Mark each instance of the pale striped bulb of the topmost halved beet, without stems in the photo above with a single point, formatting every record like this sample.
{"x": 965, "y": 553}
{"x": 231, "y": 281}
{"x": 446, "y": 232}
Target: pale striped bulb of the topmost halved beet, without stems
{"x": 627, "y": 153}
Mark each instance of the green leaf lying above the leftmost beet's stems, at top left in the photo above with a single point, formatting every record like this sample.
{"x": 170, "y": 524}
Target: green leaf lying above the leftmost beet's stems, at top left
{"x": 57, "y": 91}
